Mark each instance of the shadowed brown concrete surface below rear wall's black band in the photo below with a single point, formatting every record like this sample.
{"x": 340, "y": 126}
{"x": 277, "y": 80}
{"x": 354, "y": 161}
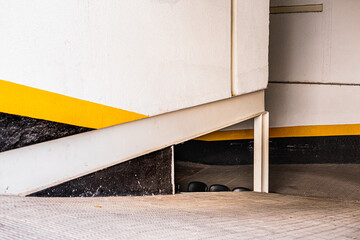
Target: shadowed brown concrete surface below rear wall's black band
{"x": 341, "y": 181}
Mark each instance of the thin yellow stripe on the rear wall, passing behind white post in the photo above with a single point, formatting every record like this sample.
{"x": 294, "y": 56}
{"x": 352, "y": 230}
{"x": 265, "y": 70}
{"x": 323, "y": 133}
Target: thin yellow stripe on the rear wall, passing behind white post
{"x": 281, "y": 132}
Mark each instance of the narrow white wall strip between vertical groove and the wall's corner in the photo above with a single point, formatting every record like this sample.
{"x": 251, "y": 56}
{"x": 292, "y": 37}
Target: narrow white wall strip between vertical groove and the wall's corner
{"x": 250, "y": 45}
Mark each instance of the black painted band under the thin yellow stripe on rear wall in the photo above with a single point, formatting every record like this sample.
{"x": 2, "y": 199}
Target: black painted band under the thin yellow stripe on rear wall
{"x": 293, "y": 150}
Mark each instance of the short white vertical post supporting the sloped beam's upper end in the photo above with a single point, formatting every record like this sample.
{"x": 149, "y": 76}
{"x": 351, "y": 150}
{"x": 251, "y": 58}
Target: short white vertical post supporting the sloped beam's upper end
{"x": 261, "y": 153}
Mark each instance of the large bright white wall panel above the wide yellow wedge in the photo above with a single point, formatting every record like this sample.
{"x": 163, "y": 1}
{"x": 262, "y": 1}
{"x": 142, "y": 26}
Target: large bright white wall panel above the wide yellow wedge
{"x": 145, "y": 56}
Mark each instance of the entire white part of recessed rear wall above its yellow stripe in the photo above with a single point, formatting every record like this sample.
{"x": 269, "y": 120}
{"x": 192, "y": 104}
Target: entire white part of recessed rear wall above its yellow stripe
{"x": 314, "y": 48}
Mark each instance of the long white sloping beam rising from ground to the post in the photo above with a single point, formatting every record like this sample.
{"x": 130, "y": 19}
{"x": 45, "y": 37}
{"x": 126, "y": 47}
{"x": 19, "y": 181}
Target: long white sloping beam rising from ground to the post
{"x": 36, "y": 167}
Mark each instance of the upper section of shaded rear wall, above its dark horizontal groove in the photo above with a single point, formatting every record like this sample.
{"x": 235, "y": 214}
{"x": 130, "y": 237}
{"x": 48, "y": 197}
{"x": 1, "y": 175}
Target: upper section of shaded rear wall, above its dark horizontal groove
{"x": 316, "y": 47}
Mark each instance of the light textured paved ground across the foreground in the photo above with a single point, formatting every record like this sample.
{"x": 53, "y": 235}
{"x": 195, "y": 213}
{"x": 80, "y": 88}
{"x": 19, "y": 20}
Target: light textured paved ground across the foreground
{"x": 242, "y": 215}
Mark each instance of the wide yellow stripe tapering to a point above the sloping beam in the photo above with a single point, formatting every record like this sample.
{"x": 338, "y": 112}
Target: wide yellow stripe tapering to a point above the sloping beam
{"x": 31, "y": 102}
